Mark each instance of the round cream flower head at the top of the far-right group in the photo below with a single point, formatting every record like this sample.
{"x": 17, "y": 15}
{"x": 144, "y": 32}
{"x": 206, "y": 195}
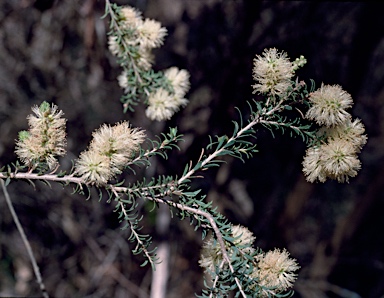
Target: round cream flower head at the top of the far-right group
{"x": 328, "y": 105}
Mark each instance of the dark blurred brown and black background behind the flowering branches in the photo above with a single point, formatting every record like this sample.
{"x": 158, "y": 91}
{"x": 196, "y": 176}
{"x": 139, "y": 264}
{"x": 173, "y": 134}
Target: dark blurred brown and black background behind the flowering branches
{"x": 56, "y": 51}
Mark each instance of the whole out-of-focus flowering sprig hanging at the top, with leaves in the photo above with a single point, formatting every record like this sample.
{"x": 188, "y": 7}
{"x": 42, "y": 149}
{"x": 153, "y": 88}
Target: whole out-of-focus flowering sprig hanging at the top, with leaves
{"x": 133, "y": 42}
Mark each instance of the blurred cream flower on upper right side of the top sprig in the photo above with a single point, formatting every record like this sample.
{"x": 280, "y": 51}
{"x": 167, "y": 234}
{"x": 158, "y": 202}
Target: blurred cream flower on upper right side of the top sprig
{"x": 151, "y": 34}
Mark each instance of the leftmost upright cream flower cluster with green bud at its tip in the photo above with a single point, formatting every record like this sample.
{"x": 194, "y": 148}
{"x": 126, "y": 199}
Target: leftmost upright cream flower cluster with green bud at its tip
{"x": 45, "y": 139}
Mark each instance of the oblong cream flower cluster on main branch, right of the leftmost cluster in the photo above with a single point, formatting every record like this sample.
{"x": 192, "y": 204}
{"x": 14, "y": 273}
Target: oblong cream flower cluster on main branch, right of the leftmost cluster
{"x": 109, "y": 152}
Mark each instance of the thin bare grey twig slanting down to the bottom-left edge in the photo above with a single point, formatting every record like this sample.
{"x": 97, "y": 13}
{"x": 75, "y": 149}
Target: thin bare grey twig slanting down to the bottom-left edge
{"x": 25, "y": 240}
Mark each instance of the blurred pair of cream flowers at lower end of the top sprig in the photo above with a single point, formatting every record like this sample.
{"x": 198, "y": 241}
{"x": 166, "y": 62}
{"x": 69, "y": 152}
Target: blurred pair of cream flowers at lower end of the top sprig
{"x": 162, "y": 104}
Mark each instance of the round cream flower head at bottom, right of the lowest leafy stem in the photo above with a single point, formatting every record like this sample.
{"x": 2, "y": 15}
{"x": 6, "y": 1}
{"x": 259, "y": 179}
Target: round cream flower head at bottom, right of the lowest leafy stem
{"x": 275, "y": 272}
